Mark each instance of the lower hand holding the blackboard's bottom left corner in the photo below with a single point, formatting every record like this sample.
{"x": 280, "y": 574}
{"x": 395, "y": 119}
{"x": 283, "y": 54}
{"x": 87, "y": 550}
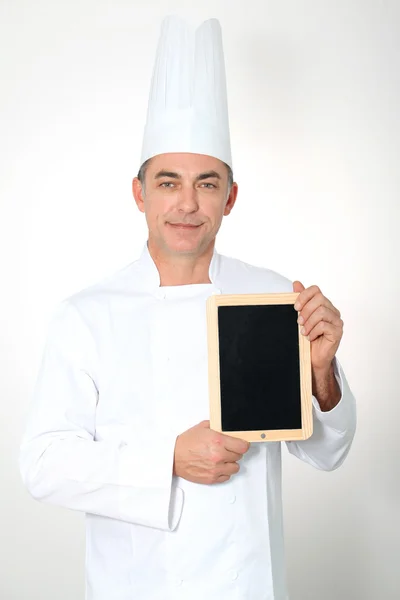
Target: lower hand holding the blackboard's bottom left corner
{"x": 206, "y": 456}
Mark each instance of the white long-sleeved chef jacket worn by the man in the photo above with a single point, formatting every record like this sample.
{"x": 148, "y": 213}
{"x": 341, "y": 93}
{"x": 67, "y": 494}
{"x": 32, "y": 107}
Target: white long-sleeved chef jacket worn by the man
{"x": 124, "y": 372}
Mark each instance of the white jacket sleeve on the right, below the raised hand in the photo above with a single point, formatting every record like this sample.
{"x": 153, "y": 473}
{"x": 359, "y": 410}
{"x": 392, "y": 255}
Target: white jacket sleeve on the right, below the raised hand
{"x": 333, "y": 431}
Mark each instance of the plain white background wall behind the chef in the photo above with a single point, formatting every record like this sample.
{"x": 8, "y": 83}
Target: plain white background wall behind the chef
{"x": 314, "y": 108}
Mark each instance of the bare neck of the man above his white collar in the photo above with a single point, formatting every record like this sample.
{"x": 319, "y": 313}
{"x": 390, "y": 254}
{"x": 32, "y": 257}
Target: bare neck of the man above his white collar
{"x": 182, "y": 269}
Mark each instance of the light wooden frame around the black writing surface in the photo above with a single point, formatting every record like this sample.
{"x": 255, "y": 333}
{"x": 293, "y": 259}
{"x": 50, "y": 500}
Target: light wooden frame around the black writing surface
{"x": 213, "y": 303}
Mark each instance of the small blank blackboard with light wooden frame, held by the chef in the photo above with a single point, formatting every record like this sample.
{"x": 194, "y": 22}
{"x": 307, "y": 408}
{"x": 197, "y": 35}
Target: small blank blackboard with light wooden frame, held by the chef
{"x": 259, "y": 368}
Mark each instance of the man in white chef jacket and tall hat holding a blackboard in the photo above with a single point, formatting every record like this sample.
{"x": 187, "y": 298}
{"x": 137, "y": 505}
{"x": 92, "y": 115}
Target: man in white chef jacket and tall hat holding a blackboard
{"x": 119, "y": 423}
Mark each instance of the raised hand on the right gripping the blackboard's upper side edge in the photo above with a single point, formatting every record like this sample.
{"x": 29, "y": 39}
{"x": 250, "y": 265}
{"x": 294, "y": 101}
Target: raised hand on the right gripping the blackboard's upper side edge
{"x": 321, "y": 323}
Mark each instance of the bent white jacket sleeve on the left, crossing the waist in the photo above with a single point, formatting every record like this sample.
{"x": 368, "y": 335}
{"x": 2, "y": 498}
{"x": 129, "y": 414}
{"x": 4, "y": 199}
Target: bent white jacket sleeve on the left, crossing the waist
{"x": 60, "y": 460}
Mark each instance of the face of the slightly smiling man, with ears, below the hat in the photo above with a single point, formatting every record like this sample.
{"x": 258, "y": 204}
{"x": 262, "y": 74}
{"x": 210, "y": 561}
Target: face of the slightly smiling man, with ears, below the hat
{"x": 184, "y": 199}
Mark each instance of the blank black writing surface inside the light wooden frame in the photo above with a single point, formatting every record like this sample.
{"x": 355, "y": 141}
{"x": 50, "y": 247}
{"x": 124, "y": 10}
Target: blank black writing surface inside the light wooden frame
{"x": 259, "y": 367}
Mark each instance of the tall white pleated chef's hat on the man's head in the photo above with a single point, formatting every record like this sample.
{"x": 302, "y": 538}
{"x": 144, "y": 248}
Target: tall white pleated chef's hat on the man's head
{"x": 188, "y": 108}
